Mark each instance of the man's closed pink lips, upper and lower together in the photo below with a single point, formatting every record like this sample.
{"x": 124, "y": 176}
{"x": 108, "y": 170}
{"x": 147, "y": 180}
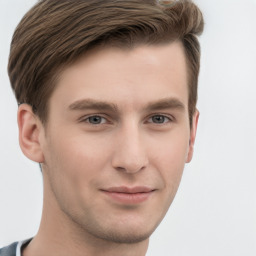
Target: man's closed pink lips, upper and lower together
{"x": 129, "y": 195}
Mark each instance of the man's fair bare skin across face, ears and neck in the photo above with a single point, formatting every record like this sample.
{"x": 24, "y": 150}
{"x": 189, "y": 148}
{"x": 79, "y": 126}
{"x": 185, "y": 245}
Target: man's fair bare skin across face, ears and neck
{"x": 116, "y": 118}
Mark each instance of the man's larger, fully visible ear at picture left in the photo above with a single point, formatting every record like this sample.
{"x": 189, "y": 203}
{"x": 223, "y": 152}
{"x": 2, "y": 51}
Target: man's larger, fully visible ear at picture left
{"x": 29, "y": 132}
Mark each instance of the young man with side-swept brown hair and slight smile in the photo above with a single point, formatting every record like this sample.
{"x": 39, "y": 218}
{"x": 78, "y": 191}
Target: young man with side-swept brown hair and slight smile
{"x": 107, "y": 96}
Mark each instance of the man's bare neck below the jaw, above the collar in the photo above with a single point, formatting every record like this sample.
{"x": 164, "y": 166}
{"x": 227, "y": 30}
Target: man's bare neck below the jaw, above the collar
{"x": 59, "y": 235}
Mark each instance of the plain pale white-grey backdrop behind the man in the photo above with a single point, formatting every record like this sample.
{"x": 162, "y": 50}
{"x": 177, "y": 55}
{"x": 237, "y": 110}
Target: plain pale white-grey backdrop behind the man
{"x": 214, "y": 212}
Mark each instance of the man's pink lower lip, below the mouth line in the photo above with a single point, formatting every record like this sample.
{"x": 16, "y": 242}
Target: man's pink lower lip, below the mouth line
{"x": 127, "y": 198}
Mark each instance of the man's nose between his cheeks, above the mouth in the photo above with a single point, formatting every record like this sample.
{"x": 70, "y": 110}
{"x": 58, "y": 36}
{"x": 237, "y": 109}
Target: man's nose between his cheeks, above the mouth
{"x": 130, "y": 152}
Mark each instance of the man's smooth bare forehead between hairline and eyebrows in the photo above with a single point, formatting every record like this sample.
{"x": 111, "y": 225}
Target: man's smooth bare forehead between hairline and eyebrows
{"x": 128, "y": 77}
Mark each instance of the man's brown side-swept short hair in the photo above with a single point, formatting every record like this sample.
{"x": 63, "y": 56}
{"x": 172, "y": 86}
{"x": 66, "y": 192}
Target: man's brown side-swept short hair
{"x": 56, "y": 33}
